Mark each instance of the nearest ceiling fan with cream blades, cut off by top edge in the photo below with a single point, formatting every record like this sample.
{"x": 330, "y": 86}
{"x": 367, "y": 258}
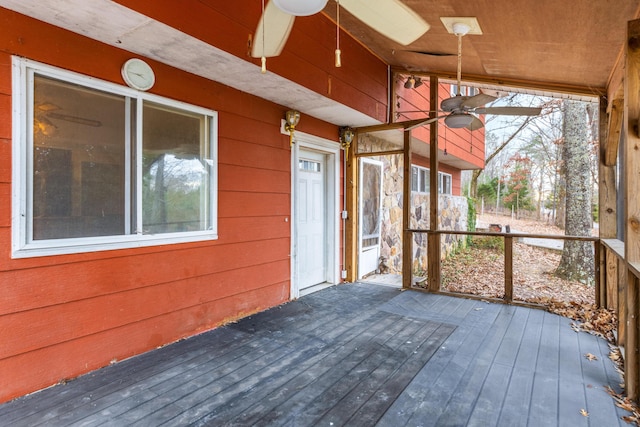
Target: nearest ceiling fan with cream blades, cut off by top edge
{"x": 391, "y": 18}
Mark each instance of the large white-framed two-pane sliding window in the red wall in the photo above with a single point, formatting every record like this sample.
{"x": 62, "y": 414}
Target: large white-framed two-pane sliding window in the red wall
{"x": 100, "y": 166}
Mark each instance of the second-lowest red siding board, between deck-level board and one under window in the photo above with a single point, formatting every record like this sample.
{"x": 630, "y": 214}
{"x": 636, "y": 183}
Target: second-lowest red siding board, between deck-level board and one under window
{"x": 33, "y": 329}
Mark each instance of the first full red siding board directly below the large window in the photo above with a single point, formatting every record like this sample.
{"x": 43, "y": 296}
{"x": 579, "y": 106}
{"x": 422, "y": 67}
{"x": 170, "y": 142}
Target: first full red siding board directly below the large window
{"x": 55, "y": 285}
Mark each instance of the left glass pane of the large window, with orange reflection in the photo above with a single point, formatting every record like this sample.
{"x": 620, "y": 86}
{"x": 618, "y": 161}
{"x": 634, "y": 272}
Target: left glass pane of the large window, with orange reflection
{"x": 78, "y": 161}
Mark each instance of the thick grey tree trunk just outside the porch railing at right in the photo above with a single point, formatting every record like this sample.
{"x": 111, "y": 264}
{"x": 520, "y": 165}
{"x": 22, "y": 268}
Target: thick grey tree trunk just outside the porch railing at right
{"x": 577, "y": 257}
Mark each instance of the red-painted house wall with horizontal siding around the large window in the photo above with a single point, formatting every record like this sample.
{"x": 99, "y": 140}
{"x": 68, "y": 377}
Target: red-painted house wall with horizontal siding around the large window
{"x": 61, "y": 316}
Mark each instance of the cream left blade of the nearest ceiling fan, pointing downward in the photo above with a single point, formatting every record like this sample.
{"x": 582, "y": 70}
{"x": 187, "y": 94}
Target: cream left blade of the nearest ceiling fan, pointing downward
{"x": 272, "y": 32}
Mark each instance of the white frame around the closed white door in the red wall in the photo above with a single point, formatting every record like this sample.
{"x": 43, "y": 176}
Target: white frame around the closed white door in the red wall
{"x": 332, "y": 150}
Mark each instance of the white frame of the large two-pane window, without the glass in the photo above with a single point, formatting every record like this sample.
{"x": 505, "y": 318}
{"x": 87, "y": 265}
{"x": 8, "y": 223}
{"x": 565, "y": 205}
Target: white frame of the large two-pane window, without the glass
{"x": 23, "y": 245}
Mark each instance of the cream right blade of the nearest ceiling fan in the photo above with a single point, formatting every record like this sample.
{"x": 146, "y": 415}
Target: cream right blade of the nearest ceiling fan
{"x": 391, "y": 18}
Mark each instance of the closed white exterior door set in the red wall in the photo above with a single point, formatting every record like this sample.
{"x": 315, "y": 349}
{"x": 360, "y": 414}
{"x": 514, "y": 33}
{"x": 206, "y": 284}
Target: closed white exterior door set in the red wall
{"x": 311, "y": 217}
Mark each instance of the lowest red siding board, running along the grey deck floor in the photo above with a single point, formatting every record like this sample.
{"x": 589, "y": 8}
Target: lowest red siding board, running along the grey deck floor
{"x": 47, "y": 365}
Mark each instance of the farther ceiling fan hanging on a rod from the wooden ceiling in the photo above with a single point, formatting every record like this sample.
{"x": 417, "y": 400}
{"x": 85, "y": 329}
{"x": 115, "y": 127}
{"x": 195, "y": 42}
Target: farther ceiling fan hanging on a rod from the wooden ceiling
{"x": 462, "y": 109}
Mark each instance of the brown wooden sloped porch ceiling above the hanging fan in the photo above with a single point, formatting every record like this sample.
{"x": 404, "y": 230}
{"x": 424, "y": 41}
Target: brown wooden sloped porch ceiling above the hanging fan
{"x": 567, "y": 45}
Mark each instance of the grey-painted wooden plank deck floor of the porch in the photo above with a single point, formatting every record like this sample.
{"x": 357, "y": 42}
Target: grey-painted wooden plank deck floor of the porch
{"x": 357, "y": 355}
